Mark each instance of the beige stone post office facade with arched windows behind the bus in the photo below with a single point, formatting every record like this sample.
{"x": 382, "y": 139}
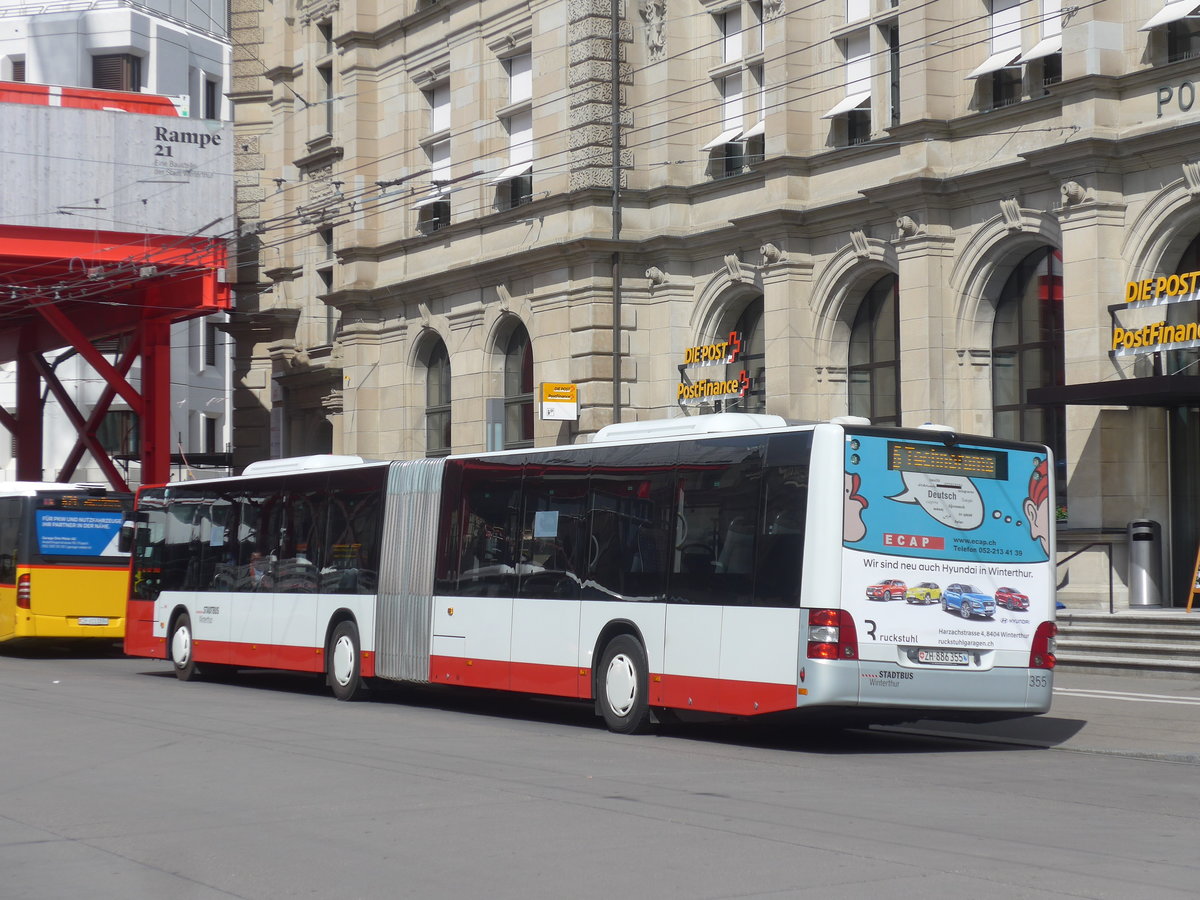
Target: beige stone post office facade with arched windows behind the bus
{"x": 914, "y": 212}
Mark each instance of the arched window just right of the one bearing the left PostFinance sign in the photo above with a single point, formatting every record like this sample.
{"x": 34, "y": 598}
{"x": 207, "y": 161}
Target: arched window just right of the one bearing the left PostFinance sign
{"x": 874, "y": 373}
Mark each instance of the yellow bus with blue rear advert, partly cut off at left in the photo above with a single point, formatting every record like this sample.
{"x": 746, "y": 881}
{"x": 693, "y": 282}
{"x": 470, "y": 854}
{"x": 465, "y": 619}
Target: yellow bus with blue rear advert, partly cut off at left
{"x": 62, "y": 572}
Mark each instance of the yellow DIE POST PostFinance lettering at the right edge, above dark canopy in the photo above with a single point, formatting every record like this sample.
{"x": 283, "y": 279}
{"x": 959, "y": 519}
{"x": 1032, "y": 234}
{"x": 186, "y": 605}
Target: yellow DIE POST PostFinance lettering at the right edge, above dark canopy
{"x": 1147, "y": 329}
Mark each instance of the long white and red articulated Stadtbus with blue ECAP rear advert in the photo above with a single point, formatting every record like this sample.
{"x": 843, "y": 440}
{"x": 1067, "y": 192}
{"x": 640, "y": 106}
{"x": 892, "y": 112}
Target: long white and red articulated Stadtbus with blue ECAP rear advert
{"x": 729, "y": 565}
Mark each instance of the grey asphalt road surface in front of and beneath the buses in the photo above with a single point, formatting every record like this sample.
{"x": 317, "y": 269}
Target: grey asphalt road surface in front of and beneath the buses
{"x": 118, "y": 782}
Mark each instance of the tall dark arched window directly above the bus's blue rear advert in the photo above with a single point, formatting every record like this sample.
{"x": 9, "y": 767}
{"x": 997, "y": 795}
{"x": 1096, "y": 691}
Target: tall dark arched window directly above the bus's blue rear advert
{"x": 1028, "y": 352}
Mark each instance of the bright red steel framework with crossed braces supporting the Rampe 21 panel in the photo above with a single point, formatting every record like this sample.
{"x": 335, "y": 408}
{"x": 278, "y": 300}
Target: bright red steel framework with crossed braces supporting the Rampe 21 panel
{"x": 63, "y": 287}
